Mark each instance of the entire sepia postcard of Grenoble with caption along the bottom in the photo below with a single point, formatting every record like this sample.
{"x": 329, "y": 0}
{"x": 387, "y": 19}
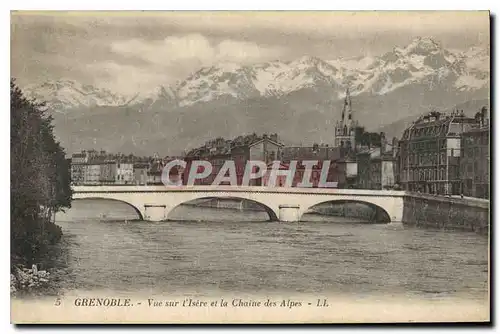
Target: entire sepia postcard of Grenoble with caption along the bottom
{"x": 187, "y": 167}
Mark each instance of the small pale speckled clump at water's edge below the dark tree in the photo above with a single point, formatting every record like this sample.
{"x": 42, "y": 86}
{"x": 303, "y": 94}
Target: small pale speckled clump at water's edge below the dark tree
{"x": 27, "y": 280}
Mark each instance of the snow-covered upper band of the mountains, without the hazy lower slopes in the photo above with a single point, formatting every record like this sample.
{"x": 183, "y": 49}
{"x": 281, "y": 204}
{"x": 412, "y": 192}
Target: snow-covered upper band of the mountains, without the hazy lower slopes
{"x": 422, "y": 61}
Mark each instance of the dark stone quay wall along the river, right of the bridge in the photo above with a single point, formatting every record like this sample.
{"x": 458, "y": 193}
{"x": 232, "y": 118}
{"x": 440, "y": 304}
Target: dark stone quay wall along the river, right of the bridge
{"x": 456, "y": 213}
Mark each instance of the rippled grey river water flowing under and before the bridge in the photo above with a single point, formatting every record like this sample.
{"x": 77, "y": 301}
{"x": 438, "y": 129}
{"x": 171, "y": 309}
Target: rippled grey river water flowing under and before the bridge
{"x": 228, "y": 251}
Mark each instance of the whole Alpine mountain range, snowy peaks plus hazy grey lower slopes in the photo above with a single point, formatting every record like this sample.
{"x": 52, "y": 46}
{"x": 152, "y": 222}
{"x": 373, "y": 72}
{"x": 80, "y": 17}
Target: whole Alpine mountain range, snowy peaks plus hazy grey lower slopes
{"x": 298, "y": 99}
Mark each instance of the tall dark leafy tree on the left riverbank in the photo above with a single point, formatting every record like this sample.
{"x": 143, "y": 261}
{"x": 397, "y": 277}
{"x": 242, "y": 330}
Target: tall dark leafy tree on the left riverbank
{"x": 40, "y": 178}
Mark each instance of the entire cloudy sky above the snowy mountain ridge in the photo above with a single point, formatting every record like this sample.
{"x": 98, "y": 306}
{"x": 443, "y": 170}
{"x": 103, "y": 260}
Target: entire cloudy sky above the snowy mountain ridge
{"x": 131, "y": 52}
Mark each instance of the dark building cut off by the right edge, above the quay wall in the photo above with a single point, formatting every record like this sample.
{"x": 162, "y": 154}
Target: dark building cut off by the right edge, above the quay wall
{"x": 475, "y": 158}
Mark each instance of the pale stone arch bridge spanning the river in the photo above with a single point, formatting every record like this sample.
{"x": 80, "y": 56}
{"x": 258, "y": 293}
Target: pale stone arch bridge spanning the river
{"x": 155, "y": 202}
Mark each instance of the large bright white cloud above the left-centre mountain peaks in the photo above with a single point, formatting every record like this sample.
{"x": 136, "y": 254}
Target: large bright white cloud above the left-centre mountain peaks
{"x": 172, "y": 59}
